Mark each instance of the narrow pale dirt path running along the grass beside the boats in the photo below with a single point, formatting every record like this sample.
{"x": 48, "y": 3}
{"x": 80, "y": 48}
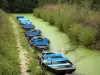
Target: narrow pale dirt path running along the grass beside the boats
{"x": 22, "y": 52}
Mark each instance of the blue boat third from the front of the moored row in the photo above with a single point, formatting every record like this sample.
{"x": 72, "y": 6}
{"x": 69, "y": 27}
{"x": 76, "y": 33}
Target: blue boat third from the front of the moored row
{"x": 31, "y": 33}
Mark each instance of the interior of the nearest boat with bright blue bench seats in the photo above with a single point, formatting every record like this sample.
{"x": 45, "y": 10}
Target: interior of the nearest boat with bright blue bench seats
{"x": 56, "y": 61}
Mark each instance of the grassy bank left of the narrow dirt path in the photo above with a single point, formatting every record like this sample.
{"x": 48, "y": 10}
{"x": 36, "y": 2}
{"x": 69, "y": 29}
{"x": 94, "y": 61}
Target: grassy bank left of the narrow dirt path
{"x": 9, "y": 62}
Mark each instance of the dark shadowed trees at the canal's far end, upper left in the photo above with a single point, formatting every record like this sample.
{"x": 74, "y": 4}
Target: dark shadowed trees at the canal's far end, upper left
{"x": 18, "y": 5}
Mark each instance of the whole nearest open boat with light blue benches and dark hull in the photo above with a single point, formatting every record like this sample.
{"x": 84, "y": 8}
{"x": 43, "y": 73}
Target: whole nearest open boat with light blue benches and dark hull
{"x": 56, "y": 63}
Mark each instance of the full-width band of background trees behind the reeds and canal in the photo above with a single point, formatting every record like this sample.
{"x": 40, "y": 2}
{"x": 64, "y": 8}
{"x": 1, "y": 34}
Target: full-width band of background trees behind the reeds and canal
{"x": 28, "y": 5}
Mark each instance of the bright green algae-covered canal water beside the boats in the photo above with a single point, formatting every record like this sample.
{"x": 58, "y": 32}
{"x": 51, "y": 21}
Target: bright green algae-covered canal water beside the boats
{"x": 87, "y": 61}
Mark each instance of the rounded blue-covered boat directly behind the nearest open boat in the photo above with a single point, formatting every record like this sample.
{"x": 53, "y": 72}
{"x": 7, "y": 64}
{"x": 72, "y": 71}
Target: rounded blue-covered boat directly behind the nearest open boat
{"x": 40, "y": 42}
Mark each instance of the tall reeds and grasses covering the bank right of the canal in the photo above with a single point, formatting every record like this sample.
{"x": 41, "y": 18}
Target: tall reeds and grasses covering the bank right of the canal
{"x": 81, "y": 24}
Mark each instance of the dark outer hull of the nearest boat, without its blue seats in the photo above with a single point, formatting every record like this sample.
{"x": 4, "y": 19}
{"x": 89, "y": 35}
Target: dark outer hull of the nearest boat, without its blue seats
{"x": 58, "y": 71}
